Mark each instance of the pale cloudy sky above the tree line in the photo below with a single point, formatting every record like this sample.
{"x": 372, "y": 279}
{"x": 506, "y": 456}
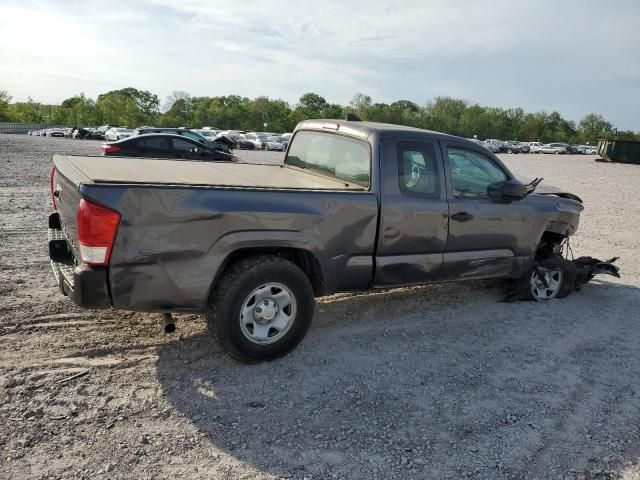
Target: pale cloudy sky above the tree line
{"x": 572, "y": 56}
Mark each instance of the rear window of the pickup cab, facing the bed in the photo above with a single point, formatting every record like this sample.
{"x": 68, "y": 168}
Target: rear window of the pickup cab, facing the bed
{"x": 340, "y": 157}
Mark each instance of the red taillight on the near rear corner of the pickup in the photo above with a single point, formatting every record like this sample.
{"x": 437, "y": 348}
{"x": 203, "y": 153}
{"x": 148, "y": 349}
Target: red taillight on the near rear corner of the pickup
{"x": 97, "y": 228}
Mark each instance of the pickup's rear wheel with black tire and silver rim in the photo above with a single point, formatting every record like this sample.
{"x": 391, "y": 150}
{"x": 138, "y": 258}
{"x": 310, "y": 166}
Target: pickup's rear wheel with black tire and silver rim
{"x": 261, "y": 308}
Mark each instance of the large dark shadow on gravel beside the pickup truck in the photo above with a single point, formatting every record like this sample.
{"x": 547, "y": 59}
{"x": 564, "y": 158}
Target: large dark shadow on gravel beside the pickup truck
{"x": 428, "y": 382}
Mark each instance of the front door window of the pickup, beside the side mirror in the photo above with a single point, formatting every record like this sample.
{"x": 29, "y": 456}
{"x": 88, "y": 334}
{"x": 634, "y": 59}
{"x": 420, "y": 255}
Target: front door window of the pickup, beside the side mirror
{"x": 472, "y": 173}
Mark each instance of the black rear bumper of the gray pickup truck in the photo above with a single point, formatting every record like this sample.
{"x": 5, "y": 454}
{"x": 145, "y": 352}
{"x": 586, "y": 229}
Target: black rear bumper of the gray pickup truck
{"x": 86, "y": 286}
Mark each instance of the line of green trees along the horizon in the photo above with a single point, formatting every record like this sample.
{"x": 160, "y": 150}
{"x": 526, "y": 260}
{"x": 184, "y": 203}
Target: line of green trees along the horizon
{"x": 133, "y": 107}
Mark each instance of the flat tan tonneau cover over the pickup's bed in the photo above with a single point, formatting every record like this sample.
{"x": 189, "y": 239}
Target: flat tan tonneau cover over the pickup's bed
{"x": 130, "y": 170}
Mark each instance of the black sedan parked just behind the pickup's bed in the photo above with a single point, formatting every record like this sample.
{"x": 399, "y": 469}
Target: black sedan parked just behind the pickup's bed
{"x": 162, "y": 145}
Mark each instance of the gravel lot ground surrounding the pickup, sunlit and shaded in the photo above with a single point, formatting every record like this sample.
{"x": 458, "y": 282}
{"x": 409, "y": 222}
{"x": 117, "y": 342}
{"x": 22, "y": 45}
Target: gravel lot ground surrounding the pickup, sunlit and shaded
{"x": 442, "y": 381}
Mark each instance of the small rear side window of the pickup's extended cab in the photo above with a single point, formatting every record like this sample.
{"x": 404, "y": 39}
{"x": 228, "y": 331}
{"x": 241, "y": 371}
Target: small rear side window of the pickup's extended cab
{"x": 418, "y": 169}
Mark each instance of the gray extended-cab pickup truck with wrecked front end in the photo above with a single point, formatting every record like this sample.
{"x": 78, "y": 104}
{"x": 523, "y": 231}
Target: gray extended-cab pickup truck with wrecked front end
{"x": 355, "y": 206}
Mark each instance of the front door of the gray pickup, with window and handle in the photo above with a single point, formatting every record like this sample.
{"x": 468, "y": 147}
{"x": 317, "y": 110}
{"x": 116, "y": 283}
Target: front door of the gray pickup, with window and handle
{"x": 487, "y": 237}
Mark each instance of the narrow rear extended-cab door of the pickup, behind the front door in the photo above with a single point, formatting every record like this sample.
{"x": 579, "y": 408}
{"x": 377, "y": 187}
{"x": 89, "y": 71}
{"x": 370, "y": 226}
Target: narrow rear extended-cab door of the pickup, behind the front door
{"x": 413, "y": 212}
